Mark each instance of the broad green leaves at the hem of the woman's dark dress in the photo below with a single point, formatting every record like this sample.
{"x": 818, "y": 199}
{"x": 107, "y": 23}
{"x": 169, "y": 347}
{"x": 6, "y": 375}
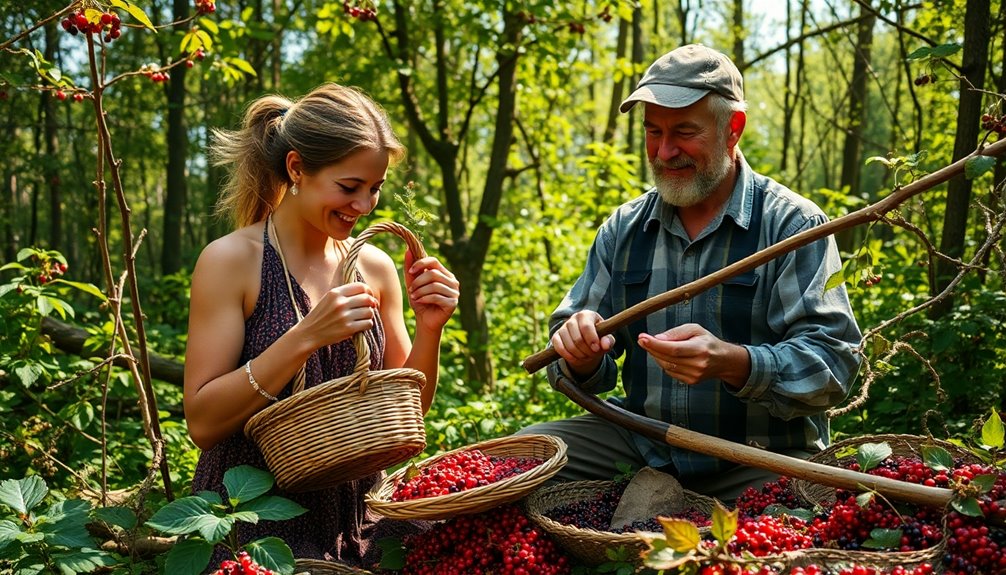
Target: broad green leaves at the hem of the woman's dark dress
{"x": 206, "y": 521}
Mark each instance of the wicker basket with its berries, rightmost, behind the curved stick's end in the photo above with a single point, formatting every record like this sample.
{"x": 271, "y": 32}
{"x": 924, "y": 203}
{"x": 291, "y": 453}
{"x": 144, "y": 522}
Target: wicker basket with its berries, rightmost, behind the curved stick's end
{"x": 914, "y": 459}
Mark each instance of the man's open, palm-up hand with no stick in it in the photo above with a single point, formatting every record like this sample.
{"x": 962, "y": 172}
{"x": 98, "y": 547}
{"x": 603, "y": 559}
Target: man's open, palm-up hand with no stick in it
{"x": 692, "y": 354}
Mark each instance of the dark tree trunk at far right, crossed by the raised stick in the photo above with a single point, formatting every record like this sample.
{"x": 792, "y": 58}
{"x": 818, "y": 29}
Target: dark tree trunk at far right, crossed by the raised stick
{"x": 977, "y": 21}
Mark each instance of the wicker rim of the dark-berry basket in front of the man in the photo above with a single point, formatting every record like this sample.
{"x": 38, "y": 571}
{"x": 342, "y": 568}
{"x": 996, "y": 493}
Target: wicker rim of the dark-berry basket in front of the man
{"x": 590, "y": 546}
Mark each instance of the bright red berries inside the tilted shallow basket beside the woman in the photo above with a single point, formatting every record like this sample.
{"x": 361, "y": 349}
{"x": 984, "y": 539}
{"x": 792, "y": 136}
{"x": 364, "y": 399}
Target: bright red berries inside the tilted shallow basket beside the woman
{"x": 462, "y": 471}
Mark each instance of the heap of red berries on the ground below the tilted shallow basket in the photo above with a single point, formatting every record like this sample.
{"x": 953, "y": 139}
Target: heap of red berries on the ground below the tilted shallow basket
{"x": 501, "y": 541}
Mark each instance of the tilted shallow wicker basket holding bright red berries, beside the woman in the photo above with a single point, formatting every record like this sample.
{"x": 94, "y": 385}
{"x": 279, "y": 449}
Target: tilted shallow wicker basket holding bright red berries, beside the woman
{"x": 476, "y": 500}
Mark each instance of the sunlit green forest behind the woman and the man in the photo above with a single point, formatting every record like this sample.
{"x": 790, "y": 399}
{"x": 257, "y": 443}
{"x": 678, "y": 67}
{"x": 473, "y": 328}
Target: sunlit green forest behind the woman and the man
{"x": 517, "y": 155}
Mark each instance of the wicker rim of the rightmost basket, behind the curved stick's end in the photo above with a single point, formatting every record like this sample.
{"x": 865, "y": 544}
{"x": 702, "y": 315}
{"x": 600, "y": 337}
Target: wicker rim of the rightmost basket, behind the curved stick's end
{"x": 904, "y": 446}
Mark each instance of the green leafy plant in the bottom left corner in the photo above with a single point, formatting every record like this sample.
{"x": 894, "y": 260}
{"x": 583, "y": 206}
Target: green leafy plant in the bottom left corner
{"x": 54, "y": 539}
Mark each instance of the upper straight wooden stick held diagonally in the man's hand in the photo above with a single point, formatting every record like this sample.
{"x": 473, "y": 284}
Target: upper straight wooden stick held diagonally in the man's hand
{"x": 870, "y": 214}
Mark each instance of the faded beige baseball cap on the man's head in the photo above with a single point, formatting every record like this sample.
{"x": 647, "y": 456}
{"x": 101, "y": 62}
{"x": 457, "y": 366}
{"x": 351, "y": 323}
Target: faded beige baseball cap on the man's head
{"x": 685, "y": 76}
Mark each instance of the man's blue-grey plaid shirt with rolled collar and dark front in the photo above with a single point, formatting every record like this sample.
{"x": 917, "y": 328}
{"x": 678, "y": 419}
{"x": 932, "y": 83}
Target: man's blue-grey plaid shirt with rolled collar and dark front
{"x": 801, "y": 339}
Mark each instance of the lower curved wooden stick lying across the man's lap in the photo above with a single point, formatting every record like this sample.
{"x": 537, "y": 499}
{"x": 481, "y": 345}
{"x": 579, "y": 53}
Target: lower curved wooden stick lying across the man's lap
{"x": 747, "y": 456}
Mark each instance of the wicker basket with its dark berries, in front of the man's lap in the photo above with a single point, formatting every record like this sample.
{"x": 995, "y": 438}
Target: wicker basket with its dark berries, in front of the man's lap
{"x": 578, "y": 516}
